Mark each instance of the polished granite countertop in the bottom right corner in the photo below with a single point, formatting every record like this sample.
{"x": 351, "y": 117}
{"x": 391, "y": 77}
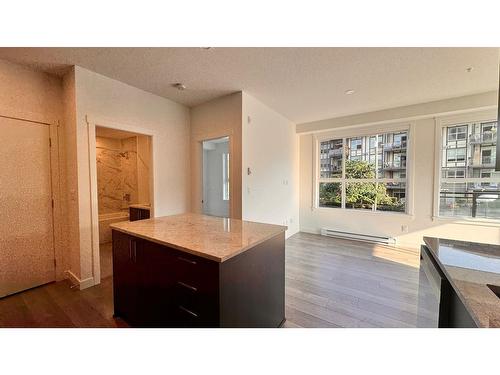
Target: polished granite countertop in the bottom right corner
{"x": 469, "y": 266}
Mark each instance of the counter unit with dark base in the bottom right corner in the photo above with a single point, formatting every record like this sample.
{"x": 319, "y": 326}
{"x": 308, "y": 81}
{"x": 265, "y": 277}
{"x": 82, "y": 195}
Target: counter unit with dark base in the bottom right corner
{"x": 466, "y": 276}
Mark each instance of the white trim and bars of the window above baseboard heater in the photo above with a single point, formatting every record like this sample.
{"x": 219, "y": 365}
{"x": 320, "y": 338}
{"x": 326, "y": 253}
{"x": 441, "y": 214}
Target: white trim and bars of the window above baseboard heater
{"x": 360, "y": 132}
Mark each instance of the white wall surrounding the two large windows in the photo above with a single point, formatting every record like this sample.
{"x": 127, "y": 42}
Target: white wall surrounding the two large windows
{"x": 419, "y": 224}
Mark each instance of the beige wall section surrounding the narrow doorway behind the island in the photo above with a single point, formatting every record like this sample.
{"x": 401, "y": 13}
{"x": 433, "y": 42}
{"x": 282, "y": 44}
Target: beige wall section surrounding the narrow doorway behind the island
{"x": 217, "y": 118}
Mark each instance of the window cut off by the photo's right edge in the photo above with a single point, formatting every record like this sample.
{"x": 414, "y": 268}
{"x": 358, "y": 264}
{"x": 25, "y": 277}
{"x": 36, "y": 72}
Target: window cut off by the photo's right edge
{"x": 468, "y": 185}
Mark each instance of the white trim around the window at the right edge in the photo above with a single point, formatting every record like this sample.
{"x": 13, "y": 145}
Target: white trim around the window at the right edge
{"x": 440, "y": 123}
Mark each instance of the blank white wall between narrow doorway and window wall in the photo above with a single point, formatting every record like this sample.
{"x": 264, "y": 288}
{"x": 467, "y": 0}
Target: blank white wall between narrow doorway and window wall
{"x": 271, "y": 151}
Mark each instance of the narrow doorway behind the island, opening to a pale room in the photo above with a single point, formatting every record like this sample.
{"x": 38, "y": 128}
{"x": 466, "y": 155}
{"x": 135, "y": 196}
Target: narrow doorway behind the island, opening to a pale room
{"x": 216, "y": 179}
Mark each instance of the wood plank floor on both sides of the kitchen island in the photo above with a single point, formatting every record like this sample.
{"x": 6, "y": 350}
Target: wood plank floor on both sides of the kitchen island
{"x": 329, "y": 283}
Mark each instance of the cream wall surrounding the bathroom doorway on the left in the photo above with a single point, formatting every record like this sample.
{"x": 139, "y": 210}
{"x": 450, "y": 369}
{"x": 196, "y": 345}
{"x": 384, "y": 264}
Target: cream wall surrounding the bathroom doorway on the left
{"x": 100, "y": 97}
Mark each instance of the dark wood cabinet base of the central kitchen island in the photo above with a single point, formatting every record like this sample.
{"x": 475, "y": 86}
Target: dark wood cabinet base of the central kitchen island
{"x": 158, "y": 286}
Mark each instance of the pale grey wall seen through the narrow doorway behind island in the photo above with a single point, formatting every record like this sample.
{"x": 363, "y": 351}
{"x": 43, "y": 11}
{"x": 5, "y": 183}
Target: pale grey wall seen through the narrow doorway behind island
{"x": 213, "y": 204}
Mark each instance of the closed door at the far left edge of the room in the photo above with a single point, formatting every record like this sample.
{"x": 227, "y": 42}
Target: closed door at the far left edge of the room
{"x": 26, "y": 222}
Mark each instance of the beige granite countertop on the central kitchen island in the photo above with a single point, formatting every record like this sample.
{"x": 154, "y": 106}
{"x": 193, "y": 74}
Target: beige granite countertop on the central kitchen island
{"x": 210, "y": 237}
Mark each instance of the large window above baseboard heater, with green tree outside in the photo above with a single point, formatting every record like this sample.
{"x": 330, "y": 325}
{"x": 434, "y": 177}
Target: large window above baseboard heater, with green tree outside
{"x": 365, "y": 173}
